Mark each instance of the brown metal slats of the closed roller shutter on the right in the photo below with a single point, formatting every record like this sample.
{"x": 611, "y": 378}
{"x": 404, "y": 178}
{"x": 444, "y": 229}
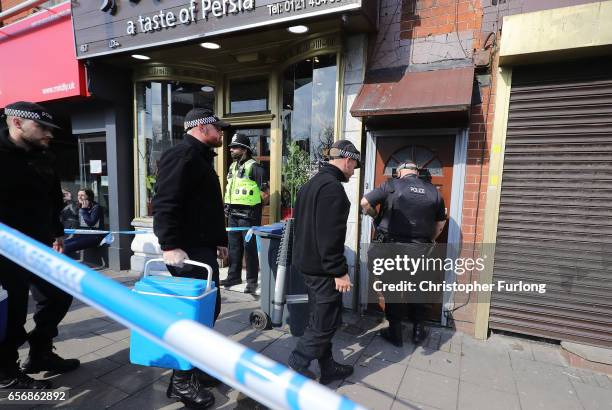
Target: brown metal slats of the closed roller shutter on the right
{"x": 555, "y": 214}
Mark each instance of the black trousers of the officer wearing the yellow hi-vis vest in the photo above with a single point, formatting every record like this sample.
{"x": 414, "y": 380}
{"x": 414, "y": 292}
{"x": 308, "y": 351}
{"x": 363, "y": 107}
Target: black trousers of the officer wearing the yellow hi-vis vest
{"x": 238, "y": 246}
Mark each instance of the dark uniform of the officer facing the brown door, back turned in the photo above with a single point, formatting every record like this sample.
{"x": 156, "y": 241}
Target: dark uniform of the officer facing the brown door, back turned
{"x": 410, "y": 209}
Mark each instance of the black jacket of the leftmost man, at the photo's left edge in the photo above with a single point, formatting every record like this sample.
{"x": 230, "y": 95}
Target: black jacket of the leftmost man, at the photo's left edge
{"x": 31, "y": 199}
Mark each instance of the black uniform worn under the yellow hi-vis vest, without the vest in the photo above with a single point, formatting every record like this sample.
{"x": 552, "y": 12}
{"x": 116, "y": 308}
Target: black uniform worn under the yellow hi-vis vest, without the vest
{"x": 245, "y": 216}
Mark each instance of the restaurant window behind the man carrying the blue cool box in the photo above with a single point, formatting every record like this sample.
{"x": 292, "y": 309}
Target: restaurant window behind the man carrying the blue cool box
{"x": 161, "y": 107}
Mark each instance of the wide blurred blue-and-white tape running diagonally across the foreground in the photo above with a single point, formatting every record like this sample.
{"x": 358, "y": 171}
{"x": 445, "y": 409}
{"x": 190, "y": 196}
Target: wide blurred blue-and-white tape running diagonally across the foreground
{"x": 259, "y": 377}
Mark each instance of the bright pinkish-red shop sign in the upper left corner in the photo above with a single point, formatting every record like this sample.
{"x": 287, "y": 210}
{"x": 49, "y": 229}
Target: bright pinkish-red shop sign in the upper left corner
{"x": 38, "y": 58}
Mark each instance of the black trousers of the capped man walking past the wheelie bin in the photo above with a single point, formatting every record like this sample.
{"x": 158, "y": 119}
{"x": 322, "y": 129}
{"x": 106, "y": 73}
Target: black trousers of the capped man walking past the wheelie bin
{"x": 325, "y": 304}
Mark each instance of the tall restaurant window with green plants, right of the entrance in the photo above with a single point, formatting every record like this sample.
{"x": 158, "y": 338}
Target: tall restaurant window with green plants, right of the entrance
{"x": 308, "y": 119}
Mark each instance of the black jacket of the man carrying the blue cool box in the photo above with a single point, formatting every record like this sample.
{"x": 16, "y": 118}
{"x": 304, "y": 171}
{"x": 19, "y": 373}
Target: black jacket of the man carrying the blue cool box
{"x": 188, "y": 205}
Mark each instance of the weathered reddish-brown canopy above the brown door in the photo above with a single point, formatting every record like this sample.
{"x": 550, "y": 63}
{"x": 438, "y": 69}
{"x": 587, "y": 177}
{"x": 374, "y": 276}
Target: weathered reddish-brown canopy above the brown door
{"x": 416, "y": 93}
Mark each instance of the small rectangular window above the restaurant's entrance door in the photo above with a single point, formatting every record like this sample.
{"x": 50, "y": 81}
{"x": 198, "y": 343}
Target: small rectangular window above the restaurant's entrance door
{"x": 247, "y": 96}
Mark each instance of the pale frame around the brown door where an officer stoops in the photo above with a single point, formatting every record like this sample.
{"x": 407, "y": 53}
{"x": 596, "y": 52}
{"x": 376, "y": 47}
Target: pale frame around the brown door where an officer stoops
{"x": 455, "y": 213}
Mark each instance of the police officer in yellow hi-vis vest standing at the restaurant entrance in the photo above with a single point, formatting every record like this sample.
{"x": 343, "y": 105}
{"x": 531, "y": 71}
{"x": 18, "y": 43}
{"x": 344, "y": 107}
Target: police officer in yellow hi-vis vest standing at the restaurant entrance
{"x": 245, "y": 194}
